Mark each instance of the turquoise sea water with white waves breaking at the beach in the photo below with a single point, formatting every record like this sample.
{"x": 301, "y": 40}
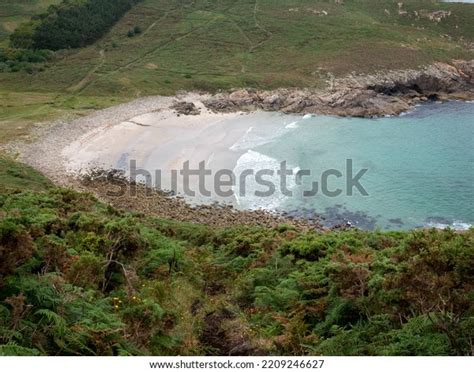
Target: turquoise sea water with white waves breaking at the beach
{"x": 420, "y": 166}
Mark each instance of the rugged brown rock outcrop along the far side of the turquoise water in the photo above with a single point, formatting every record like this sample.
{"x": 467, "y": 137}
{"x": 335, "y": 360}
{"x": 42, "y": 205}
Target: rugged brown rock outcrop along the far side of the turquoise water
{"x": 359, "y": 95}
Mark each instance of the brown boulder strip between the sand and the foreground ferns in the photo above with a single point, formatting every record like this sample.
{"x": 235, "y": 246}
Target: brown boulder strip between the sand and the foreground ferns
{"x": 111, "y": 187}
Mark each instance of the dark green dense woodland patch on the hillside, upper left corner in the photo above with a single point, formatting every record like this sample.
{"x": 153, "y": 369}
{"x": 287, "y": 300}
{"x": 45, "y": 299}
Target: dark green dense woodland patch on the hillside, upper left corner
{"x": 71, "y": 24}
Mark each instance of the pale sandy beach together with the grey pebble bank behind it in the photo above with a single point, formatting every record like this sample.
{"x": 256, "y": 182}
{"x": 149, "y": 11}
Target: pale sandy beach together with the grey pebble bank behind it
{"x": 149, "y": 132}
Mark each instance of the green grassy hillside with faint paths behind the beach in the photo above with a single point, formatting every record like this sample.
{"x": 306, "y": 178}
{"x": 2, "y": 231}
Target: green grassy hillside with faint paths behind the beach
{"x": 208, "y": 45}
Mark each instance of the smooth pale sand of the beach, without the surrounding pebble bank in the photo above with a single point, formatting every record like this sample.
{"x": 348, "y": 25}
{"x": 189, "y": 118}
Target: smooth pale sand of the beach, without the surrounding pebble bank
{"x": 160, "y": 142}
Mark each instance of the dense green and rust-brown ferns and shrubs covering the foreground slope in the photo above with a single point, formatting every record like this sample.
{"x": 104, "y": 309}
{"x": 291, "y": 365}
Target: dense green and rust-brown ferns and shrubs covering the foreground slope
{"x": 78, "y": 277}
